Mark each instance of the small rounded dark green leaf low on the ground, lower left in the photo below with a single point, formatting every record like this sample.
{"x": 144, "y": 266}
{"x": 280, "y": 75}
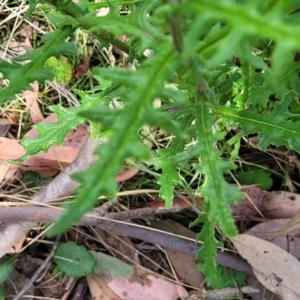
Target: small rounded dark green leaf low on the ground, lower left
{"x": 74, "y": 260}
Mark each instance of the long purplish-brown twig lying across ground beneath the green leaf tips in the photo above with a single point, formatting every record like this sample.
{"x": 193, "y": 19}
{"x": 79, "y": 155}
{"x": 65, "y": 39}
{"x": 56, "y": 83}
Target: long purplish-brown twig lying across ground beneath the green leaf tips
{"x": 164, "y": 239}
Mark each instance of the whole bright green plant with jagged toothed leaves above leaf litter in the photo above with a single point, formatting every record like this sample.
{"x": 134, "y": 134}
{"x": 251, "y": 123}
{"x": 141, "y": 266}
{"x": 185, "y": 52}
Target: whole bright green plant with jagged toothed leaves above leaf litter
{"x": 195, "y": 45}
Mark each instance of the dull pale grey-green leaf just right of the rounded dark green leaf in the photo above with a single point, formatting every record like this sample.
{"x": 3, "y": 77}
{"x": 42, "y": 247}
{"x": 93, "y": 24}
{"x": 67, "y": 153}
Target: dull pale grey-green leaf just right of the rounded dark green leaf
{"x": 112, "y": 265}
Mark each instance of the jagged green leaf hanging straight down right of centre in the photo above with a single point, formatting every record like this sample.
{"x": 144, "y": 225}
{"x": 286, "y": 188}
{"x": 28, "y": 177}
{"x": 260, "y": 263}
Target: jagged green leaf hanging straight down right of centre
{"x": 215, "y": 186}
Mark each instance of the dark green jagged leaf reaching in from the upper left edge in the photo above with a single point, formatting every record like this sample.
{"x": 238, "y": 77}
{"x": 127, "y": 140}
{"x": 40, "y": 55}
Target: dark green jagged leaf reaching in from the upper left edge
{"x": 20, "y": 76}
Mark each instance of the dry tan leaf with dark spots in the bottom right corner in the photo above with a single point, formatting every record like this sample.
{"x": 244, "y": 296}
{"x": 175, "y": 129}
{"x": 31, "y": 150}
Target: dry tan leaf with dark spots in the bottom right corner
{"x": 276, "y": 269}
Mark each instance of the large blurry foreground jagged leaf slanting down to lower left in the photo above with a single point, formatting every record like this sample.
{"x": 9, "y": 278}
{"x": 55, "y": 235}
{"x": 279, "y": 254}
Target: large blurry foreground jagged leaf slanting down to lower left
{"x": 124, "y": 124}
